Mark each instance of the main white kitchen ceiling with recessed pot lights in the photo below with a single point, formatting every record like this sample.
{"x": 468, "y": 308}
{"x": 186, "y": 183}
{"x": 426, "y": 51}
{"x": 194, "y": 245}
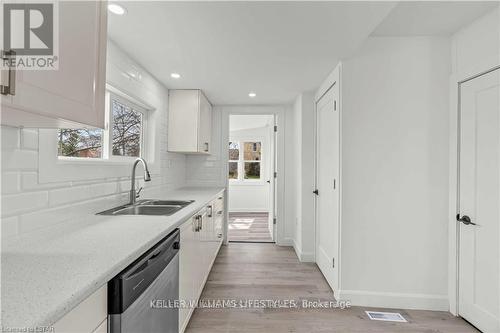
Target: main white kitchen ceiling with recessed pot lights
{"x": 277, "y": 49}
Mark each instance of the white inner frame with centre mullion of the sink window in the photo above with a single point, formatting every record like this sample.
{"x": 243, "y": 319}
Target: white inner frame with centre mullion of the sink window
{"x": 107, "y": 136}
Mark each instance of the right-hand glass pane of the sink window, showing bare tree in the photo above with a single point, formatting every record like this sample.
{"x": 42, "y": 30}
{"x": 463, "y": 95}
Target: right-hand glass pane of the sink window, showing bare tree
{"x": 127, "y": 129}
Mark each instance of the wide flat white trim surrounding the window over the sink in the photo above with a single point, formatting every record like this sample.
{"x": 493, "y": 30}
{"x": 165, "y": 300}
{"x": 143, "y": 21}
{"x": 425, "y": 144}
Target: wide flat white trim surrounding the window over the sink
{"x": 53, "y": 168}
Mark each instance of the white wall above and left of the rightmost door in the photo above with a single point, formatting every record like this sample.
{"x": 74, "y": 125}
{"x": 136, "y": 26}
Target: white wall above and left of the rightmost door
{"x": 475, "y": 49}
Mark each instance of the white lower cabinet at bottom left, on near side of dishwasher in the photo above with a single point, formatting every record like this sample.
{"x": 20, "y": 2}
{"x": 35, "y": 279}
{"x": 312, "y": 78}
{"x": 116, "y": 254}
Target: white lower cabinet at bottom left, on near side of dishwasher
{"x": 87, "y": 317}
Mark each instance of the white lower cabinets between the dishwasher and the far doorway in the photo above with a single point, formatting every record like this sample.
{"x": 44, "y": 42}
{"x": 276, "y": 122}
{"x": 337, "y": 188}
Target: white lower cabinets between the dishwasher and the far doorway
{"x": 200, "y": 243}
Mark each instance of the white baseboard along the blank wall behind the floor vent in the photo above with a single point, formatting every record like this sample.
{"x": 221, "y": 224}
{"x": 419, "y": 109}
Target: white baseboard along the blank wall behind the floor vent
{"x": 394, "y": 300}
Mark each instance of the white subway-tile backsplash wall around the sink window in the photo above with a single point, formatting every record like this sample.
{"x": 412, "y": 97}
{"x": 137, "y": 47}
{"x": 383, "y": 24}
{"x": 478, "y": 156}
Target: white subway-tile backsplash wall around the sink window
{"x": 28, "y": 205}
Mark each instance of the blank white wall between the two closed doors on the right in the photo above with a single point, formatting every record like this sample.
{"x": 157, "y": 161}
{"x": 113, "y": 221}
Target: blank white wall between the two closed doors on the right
{"x": 395, "y": 173}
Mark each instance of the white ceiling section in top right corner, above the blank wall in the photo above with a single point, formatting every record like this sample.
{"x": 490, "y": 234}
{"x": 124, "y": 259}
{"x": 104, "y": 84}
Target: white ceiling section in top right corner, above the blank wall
{"x": 432, "y": 17}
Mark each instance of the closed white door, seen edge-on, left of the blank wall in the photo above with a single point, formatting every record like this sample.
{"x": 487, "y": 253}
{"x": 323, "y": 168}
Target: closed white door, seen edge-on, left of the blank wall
{"x": 327, "y": 176}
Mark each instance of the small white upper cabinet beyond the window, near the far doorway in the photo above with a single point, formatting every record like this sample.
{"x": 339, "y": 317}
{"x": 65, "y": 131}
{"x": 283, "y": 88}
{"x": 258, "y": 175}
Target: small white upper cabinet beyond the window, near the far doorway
{"x": 189, "y": 122}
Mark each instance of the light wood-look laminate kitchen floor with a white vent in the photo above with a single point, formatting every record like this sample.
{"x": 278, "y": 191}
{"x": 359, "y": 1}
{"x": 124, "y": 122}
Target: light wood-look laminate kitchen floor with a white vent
{"x": 267, "y": 271}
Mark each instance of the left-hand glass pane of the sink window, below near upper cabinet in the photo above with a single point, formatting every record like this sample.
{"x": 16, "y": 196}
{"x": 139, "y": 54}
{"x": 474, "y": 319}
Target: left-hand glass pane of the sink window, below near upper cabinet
{"x": 80, "y": 143}
